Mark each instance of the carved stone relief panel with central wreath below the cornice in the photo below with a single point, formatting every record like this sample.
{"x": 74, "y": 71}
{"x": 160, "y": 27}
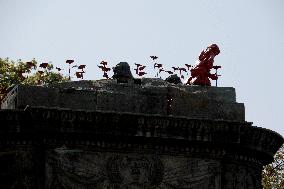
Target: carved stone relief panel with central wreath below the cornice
{"x": 69, "y": 168}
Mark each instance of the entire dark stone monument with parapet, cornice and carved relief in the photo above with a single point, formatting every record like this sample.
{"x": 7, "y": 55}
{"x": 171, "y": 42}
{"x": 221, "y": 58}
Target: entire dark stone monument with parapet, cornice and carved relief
{"x": 123, "y": 134}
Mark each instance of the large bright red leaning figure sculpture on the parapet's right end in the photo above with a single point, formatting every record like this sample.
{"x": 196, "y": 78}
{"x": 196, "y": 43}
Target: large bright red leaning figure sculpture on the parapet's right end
{"x": 200, "y": 73}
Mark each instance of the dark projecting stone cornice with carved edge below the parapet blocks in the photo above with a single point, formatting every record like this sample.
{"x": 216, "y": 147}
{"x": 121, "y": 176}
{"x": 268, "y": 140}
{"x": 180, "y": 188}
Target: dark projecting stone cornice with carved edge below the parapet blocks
{"x": 238, "y": 140}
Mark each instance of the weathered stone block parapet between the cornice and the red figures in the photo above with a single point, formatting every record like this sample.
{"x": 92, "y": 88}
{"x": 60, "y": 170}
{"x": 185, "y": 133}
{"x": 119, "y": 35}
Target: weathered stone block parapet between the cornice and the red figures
{"x": 153, "y": 96}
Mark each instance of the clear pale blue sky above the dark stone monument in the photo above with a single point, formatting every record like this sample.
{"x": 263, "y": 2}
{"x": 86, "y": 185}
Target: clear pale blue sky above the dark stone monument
{"x": 250, "y": 35}
